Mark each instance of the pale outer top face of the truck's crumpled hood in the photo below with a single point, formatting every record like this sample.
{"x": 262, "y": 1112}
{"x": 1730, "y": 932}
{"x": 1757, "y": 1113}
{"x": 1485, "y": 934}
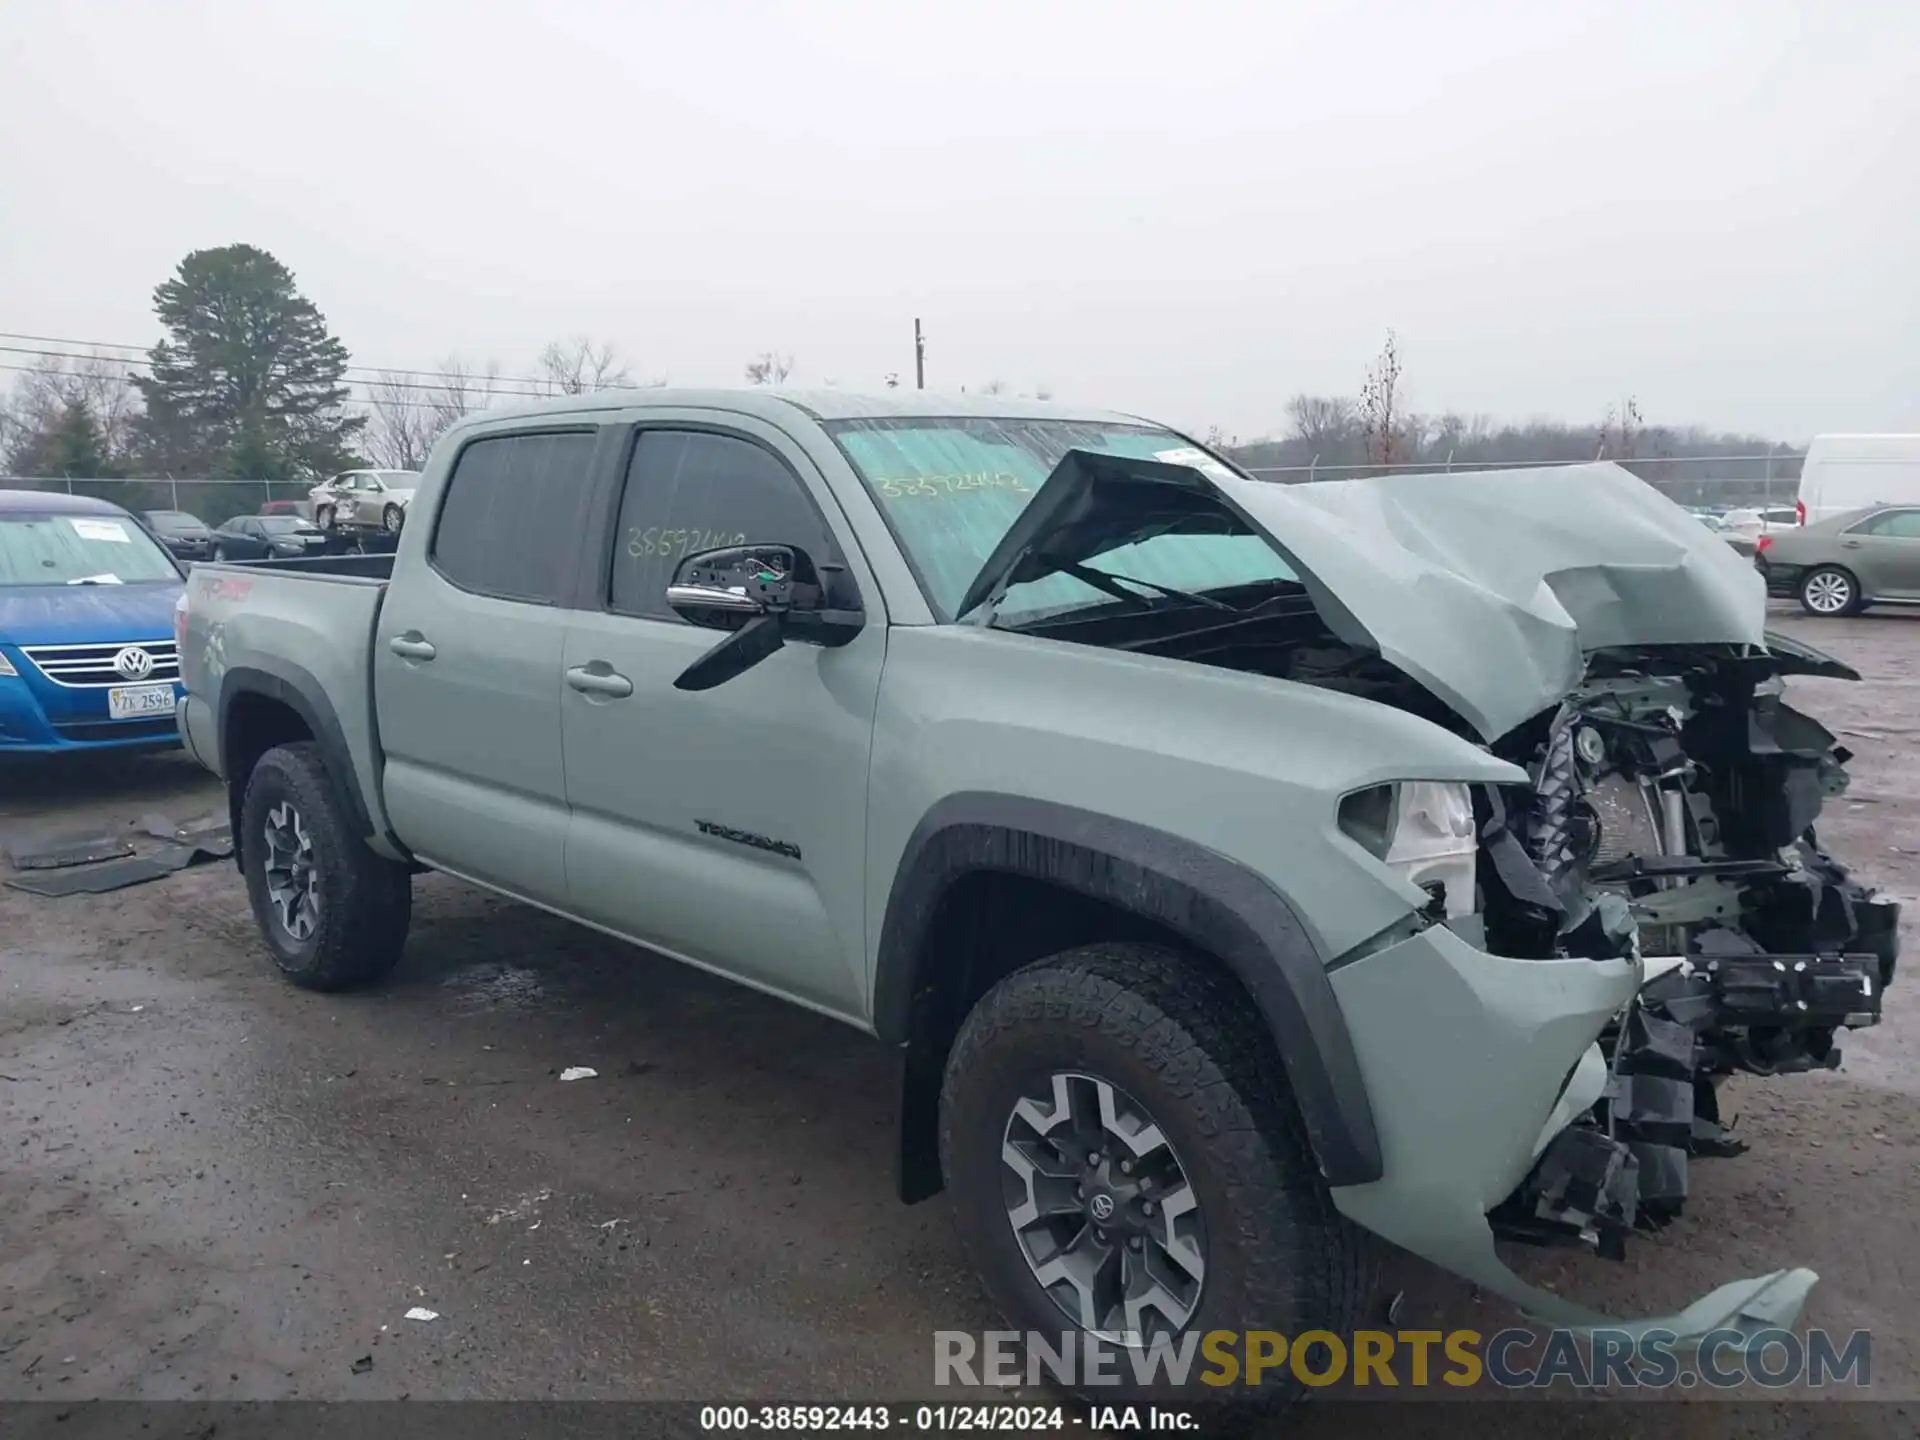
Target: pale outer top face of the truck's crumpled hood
{"x": 1493, "y": 587}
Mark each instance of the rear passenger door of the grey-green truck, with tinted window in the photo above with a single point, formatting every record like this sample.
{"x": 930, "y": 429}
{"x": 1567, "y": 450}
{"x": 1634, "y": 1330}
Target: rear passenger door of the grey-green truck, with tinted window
{"x": 468, "y": 665}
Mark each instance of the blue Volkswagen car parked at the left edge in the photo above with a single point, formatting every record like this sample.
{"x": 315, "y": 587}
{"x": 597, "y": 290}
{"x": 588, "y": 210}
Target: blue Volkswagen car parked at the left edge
{"x": 87, "y": 646}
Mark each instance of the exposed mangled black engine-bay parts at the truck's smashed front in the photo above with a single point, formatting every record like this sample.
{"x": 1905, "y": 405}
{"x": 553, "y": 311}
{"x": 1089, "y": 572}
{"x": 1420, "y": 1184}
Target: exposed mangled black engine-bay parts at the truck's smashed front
{"x": 1673, "y": 821}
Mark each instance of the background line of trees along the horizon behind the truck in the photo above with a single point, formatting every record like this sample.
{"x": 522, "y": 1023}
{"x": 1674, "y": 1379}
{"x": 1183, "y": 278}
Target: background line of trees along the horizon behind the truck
{"x": 251, "y": 383}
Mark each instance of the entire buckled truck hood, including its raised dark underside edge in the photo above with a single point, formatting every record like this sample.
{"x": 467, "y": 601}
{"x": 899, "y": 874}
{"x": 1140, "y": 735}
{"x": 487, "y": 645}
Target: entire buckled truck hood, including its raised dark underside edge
{"x": 1489, "y": 587}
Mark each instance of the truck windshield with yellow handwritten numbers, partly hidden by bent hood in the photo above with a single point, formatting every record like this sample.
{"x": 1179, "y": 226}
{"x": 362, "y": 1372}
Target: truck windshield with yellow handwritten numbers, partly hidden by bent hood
{"x": 953, "y": 487}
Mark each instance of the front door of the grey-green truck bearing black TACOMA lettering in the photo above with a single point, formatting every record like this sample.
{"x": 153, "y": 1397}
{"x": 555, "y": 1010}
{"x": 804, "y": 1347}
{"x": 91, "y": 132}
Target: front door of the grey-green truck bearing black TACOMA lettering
{"x": 723, "y": 827}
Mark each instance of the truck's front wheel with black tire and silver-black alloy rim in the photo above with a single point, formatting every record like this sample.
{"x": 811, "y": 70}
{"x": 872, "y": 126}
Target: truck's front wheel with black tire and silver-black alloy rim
{"x": 1126, "y": 1164}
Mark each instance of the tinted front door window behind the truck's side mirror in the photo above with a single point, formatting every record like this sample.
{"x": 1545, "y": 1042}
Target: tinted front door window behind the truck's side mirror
{"x": 692, "y": 491}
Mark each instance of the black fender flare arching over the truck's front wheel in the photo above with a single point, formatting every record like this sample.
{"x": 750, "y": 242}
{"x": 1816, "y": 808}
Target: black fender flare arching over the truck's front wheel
{"x": 1201, "y": 896}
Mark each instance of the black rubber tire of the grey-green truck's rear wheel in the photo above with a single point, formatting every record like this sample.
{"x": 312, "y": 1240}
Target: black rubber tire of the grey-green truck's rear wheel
{"x": 366, "y": 900}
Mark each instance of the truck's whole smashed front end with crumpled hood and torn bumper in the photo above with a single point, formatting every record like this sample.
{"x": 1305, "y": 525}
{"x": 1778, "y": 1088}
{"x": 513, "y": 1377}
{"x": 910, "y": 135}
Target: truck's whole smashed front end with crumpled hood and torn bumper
{"x": 1545, "y": 1040}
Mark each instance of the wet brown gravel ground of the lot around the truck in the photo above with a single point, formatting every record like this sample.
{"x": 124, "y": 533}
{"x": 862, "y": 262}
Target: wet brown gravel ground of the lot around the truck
{"x": 220, "y": 1188}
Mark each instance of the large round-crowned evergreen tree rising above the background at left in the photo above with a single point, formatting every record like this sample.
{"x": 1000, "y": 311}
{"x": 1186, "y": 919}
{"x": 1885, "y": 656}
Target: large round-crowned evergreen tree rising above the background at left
{"x": 249, "y": 379}
